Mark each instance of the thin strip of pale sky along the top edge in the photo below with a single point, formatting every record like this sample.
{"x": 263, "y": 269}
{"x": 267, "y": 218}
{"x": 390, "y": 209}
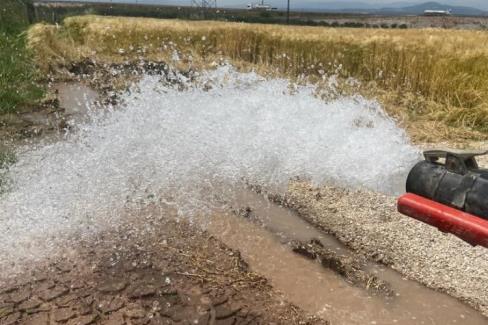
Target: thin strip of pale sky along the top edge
{"x": 481, "y": 4}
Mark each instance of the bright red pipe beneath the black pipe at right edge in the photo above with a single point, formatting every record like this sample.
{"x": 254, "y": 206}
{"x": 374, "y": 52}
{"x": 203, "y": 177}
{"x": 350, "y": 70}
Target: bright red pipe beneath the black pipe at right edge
{"x": 468, "y": 227}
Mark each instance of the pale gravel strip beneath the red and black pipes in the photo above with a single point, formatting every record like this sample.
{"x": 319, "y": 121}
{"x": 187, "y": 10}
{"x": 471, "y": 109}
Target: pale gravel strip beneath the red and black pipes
{"x": 368, "y": 223}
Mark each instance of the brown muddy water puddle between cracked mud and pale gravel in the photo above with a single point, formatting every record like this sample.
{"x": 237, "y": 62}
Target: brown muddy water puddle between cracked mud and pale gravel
{"x": 321, "y": 291}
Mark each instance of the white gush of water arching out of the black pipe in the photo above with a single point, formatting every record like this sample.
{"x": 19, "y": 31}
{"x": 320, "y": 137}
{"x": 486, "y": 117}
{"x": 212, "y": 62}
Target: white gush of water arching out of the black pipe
{"x": 187, "y": 142}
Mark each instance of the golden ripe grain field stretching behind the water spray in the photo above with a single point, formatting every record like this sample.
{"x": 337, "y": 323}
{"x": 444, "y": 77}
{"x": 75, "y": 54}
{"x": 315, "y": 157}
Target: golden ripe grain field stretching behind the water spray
{"x": 438, "y": 78}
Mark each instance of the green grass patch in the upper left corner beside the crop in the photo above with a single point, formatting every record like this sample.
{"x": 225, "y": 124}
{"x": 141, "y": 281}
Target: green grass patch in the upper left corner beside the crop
{"x": 18, "y": 73}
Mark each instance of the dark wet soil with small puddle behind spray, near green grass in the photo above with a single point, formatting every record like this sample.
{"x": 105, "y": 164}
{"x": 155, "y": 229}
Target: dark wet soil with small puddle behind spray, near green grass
{"x": 70, "y": 93}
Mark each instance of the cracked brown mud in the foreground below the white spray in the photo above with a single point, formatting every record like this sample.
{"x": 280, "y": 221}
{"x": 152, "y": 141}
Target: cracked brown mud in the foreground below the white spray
{"x": 170, "y": 274}
